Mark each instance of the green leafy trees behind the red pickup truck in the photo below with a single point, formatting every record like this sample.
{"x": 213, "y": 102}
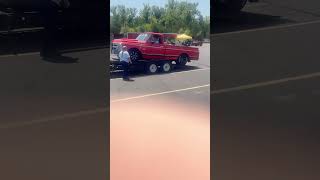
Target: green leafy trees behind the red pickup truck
{"x": 175, "y": 17}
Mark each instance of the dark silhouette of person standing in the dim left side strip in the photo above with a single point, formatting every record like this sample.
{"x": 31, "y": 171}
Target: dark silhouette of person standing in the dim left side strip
{"x": 50, "y": 14}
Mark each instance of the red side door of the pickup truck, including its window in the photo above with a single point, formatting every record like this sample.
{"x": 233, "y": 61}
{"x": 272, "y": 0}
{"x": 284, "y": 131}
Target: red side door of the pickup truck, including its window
{"x": 156, "y": 48}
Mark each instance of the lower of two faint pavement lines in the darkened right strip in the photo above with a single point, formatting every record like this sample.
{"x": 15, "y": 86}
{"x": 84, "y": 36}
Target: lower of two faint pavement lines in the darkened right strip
{"x": 267, "y": 83}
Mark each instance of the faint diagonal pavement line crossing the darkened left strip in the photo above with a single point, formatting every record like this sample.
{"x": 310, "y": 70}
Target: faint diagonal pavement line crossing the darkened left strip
{"x": 54, "y": 118}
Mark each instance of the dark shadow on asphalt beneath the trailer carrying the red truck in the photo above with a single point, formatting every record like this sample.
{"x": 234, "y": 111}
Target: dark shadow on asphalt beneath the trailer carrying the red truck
{"x": 135, "y": 73}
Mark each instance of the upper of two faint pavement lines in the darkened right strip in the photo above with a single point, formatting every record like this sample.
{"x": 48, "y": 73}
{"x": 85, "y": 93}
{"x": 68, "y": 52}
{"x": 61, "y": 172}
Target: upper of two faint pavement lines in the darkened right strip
{"x": 266, "y": 28}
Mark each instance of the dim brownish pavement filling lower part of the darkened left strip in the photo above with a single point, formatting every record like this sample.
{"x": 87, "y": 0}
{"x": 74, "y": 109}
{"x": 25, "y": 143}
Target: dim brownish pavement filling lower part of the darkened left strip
{"x": 54, "y": 117}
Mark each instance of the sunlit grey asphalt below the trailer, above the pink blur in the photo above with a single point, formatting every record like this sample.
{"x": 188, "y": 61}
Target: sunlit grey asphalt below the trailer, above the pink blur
{"x": 197, "y": 73}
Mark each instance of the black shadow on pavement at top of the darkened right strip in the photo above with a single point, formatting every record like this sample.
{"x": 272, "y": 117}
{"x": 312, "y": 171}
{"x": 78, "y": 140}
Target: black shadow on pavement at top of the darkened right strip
{"x": 245, "y": 21}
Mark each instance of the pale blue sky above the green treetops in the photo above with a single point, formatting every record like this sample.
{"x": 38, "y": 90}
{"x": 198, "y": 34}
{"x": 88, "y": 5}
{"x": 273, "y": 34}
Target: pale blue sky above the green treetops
{"x": 203, "y": 7}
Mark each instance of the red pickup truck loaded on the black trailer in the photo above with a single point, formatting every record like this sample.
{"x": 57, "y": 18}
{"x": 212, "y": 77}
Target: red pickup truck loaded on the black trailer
{"x": 157, "y": 49}
